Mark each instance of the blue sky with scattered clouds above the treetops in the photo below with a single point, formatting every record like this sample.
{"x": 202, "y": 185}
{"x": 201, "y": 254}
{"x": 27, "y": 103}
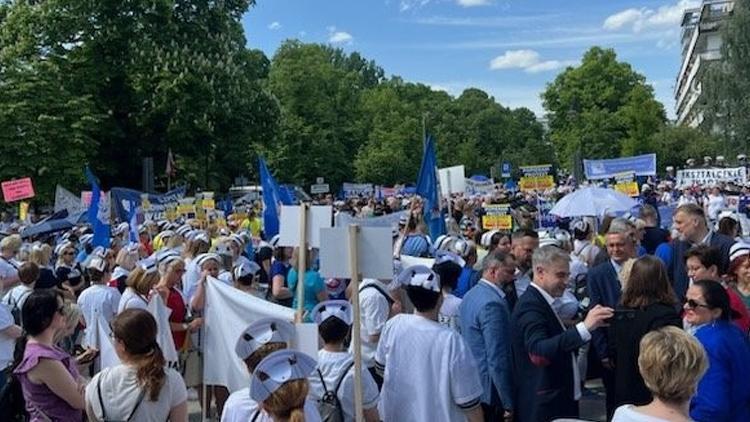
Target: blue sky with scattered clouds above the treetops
{"x": 509, "y": 48}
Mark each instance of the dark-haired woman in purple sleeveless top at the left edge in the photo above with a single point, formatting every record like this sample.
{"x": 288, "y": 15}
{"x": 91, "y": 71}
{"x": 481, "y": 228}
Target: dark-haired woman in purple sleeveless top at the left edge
{"x": 52, "y": 387}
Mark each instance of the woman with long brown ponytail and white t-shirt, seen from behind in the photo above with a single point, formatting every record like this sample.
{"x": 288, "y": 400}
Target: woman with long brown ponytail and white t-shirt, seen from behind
{"x": 142, "y": 388}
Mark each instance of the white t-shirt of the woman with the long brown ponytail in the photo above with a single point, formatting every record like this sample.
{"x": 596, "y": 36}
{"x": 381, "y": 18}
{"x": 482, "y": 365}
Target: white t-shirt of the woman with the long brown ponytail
{"x": 120, "y": 391}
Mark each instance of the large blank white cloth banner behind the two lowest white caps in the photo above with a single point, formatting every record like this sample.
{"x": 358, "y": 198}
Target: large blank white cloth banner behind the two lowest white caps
{"x": 227, "y": 313}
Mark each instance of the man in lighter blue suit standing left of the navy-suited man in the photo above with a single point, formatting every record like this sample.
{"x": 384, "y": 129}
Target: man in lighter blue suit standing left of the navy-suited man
{"x": 485, "y": 325}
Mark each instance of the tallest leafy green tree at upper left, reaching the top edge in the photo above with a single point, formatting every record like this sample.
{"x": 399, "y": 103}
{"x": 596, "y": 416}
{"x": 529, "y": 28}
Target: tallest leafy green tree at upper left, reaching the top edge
{"x": 164, "y": 74}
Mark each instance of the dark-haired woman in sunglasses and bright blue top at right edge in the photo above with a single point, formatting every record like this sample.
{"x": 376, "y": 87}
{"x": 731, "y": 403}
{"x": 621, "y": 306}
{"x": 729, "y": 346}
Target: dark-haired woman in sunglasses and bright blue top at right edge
{"x": 722, "y": 394}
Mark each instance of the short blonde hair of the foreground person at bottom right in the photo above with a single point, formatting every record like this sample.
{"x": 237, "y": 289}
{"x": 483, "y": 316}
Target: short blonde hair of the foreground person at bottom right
{"x": 671, "y": 363}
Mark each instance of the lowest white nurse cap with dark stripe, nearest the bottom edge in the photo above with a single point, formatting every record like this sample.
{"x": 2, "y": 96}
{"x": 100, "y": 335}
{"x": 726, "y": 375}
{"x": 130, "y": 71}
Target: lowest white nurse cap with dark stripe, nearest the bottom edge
{"x": 277, "y": 369}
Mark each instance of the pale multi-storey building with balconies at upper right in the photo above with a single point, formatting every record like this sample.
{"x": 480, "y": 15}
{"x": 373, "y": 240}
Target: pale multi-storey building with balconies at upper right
{"x": 701, "y": 44}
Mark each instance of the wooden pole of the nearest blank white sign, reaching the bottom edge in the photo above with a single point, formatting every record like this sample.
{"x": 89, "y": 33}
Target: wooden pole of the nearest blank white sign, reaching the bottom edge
{"x": 356, "y": 336}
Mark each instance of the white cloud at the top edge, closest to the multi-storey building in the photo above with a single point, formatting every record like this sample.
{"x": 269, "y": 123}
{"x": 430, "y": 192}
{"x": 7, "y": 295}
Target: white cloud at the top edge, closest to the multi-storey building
{"x": 644, "y": 19}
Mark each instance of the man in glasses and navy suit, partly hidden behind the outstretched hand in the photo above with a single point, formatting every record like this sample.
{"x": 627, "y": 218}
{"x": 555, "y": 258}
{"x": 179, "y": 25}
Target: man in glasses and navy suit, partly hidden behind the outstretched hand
{"x": 604, "y": 288}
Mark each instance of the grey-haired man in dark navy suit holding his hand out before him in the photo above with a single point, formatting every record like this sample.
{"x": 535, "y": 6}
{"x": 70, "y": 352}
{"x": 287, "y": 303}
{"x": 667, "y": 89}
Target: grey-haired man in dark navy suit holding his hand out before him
{"x": 546, "y": 376}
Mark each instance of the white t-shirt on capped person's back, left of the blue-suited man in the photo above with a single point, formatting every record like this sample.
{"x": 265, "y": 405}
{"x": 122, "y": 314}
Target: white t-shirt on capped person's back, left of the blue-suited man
{"x": 429, "y": 371}
